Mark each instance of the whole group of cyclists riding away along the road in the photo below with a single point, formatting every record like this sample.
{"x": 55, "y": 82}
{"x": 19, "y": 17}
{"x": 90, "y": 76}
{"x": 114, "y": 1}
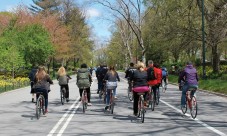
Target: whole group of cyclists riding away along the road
{"x": 140, "y": 79}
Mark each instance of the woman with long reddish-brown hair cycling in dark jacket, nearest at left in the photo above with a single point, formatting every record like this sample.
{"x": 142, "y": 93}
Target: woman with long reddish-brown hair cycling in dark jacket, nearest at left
{"x": 42, "y": 84}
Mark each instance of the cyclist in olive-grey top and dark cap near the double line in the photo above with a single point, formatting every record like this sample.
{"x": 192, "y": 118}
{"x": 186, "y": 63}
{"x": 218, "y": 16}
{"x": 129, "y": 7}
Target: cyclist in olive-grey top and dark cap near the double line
{"x": 84, "y": 81}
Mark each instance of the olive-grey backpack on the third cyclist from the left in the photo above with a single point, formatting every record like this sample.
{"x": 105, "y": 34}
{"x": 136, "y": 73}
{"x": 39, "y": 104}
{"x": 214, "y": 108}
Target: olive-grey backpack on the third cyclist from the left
{"x": 83, "y": 79}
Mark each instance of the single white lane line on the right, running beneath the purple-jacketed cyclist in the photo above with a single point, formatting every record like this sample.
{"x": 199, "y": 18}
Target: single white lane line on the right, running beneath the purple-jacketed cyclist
{"x": 197, "y": 120}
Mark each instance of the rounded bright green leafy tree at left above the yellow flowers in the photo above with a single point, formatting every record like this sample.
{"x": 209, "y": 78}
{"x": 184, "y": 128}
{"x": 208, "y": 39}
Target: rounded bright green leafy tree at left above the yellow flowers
{"x": 35, "y": 45}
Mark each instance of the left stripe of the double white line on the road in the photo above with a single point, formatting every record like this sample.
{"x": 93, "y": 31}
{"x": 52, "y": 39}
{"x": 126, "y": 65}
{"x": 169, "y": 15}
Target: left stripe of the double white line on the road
{"x": 62, "y": 118}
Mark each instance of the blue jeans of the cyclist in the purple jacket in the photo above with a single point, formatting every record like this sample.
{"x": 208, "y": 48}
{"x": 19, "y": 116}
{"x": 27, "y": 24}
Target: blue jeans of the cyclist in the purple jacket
{"x": 184, "y": 90}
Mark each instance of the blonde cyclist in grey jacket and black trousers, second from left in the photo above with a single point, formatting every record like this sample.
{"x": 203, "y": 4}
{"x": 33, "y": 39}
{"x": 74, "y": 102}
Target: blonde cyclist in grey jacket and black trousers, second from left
{"x": 63, "y": 80}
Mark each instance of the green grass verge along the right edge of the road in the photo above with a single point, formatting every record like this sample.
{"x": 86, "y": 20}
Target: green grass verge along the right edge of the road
{"x": 213, "y": 85}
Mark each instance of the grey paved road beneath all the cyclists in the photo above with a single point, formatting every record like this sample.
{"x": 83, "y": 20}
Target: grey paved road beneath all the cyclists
{"x": 17, "y": 115}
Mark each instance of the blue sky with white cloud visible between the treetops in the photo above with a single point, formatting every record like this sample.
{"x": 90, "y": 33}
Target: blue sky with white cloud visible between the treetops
{"x": 100, "y": 27}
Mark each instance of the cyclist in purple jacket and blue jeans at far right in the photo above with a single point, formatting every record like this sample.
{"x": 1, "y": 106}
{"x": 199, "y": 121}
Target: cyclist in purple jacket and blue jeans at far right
{"x": 190, "y": 77}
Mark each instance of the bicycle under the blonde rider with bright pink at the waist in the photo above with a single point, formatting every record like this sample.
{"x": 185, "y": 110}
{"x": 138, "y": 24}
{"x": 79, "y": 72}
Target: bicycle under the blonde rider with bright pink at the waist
{"x": 141, "y": 107}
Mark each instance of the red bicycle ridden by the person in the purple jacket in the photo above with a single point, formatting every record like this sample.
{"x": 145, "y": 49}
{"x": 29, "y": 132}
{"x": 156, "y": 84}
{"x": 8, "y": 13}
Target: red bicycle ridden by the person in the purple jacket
{"x": 191, "y": 103}
